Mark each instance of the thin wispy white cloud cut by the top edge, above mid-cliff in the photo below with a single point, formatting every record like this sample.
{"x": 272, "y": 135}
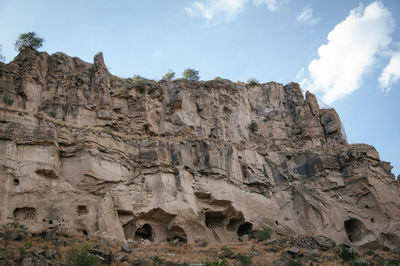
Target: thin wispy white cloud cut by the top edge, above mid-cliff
{"x": 224, "y": 10}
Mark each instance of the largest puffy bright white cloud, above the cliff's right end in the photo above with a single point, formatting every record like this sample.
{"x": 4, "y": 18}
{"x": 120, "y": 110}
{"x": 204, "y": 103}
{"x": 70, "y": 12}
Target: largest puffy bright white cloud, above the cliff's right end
{"x": 352, "y": 48}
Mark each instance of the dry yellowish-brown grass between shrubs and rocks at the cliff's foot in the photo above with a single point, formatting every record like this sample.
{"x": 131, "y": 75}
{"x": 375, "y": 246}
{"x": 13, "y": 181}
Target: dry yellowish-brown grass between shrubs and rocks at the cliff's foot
{"x": 261, "y": 253}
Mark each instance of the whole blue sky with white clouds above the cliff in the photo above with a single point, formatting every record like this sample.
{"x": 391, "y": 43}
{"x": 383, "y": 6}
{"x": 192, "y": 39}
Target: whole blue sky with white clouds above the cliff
{"x": 347, "y": 52}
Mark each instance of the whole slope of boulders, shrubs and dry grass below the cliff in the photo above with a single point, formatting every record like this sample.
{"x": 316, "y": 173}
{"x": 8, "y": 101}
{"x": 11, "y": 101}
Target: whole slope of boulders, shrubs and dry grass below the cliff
{"x": 59, "y": 248}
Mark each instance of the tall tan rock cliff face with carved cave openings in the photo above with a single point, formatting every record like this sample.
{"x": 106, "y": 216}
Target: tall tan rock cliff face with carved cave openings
{"x": 197, "y": 161}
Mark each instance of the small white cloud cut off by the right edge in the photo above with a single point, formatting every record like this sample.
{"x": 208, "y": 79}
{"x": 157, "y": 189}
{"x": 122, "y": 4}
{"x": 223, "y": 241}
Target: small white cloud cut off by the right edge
{"x": 391, "y": 73}
